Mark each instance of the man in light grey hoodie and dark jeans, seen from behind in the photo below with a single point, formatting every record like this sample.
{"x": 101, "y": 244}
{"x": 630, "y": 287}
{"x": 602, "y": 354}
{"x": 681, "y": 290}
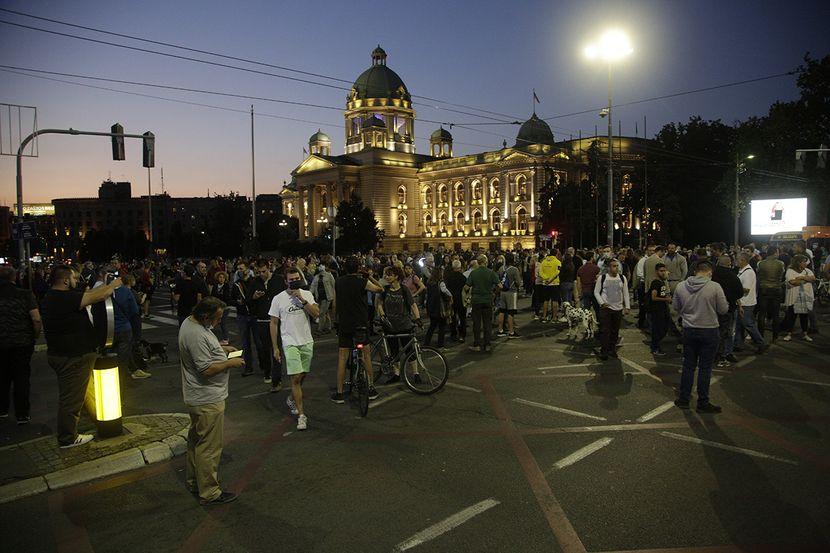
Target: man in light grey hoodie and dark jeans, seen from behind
{"x": 699, "y": 301}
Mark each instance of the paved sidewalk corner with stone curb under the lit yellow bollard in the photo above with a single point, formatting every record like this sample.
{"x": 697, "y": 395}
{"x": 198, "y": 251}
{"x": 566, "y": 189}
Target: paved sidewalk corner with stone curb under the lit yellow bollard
{"x": 38, "y": 465}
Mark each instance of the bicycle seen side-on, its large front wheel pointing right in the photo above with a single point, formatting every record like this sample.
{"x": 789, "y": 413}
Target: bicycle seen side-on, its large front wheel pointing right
{"x": 423, "y": 368}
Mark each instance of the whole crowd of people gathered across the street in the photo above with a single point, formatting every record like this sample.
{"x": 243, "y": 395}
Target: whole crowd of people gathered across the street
{"x": 714, "y": 300}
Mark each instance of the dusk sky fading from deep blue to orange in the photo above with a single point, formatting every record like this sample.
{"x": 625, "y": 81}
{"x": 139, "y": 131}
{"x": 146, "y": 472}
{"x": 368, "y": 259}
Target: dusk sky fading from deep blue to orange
{"x": 484, "y": 54}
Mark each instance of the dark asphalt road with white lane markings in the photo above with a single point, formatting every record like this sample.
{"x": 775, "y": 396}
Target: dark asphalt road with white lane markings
{"x": 535, "y": 447}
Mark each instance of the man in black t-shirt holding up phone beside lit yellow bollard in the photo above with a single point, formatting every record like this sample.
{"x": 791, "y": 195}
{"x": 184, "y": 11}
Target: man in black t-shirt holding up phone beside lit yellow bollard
{"x": 71, "y": 344}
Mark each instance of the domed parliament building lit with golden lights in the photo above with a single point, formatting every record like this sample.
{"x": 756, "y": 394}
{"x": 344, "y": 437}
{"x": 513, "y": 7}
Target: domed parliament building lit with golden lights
{"x": 487, "y": 200}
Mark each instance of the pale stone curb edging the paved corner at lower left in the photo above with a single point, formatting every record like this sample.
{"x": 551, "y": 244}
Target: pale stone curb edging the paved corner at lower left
{"x": 130, "y": 459}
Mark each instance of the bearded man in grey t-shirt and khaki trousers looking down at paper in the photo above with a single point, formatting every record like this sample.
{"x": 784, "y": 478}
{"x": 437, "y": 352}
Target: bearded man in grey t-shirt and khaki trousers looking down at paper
{"x": 205, "y": 366}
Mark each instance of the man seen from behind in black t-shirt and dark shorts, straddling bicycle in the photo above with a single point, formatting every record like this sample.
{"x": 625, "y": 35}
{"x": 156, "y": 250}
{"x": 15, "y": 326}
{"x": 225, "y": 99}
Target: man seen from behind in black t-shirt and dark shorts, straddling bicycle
{"x": 352, "y": 313}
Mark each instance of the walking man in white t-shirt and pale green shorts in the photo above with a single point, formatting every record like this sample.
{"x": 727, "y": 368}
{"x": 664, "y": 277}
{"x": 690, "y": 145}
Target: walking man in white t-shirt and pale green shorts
{"x": 290, "y": 310}
